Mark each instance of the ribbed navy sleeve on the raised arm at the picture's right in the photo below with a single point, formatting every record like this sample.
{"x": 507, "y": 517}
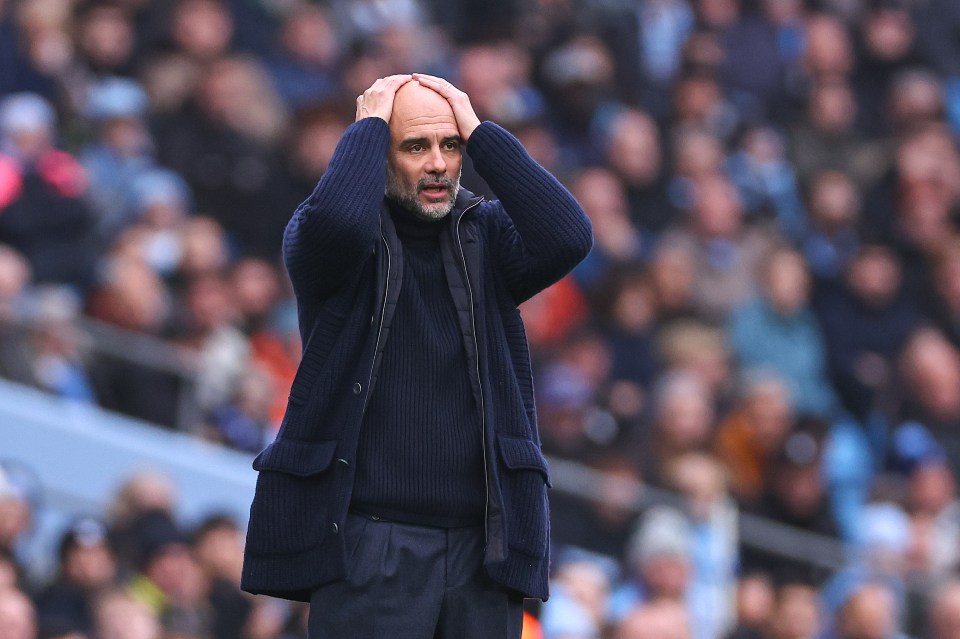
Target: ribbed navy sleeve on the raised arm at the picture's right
{"x": 547, "y": 232}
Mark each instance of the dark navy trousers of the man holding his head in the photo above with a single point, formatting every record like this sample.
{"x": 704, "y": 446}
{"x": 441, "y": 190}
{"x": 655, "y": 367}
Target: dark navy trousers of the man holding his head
{"x": 414, "y": 582}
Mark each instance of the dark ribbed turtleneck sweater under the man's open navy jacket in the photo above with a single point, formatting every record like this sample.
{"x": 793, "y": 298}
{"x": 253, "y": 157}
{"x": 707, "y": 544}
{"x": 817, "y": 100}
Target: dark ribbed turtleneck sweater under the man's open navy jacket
{"x": 420, "y": 453}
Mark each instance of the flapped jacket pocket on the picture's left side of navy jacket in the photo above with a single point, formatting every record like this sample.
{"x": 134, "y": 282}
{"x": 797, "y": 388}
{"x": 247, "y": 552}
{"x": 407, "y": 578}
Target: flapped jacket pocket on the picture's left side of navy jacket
{"x": 293, "y": 497}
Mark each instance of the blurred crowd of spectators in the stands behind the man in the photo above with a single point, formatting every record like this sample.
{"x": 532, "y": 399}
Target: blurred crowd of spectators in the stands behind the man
{"x": 769, "y": 322}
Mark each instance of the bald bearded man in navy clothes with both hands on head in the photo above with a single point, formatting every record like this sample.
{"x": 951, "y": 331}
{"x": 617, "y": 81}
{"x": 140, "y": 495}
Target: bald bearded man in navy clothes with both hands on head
{"x": 405, "y": 495}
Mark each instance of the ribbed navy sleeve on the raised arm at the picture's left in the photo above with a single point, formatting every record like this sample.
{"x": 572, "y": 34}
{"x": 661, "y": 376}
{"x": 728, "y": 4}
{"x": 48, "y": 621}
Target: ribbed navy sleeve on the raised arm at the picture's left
{"x": 331, "y": 233}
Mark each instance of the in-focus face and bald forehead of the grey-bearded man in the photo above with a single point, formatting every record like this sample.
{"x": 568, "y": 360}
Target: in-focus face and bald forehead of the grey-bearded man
{"x": 424, "y": 161}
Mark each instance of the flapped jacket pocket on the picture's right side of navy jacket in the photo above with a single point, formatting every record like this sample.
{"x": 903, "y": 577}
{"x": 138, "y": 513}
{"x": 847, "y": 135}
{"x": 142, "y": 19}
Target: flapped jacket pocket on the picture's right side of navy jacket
{"x": 525, "y": 479}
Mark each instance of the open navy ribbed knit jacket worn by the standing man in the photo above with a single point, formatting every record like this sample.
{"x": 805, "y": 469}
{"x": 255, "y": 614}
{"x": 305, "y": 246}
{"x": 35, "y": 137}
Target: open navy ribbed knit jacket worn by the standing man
{"x": 346, "y": 263}
